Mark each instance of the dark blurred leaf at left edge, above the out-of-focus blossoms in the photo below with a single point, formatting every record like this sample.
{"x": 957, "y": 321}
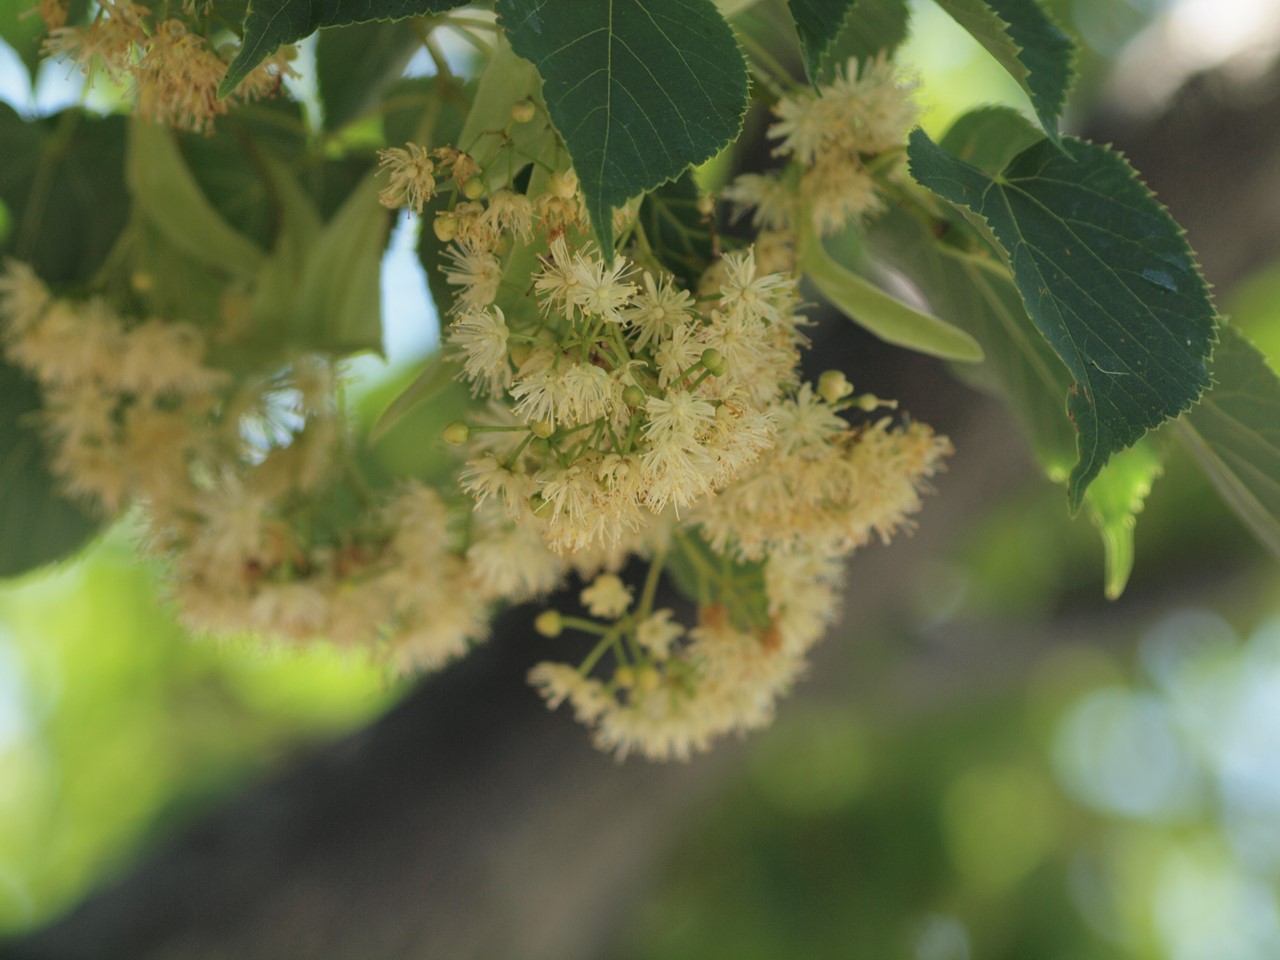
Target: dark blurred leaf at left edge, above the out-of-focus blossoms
{"x": 63, "y": 181}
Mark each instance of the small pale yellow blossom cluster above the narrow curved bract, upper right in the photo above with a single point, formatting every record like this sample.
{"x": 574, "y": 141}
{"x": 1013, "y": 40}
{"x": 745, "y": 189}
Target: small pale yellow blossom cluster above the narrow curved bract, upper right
{"x": 830, "y": 135}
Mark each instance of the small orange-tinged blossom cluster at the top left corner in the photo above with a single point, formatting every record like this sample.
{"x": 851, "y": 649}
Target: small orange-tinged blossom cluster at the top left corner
{"x": 173, "y": 70}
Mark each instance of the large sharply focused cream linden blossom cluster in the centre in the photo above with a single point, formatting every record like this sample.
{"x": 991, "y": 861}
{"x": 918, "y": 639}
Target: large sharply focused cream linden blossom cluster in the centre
{"x": 628, "y": 417}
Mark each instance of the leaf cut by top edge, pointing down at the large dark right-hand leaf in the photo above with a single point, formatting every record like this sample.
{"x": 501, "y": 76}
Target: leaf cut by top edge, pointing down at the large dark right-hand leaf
{"x": 1028, "y": 45}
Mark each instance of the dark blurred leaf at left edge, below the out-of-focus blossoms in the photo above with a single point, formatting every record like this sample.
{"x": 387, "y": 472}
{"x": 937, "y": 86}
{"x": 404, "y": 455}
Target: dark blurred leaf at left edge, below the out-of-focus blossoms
{"x": 38, "y": 524}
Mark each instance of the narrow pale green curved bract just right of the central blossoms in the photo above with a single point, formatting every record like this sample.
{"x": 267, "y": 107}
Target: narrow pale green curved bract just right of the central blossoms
{"x": 875, "y": 310}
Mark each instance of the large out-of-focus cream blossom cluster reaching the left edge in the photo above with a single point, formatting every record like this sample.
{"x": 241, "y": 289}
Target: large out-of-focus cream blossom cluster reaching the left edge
{"x": 236, "y": 477}
